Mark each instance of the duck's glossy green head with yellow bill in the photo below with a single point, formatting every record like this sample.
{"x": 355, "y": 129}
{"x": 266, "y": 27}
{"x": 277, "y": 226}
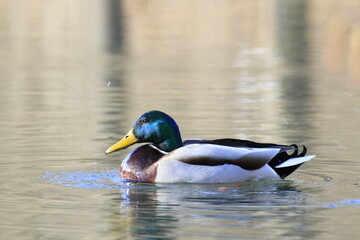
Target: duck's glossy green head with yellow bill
{"x": 154, "y": 127}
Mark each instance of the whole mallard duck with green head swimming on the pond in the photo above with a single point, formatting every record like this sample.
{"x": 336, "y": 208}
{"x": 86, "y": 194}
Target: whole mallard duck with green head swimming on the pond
{"x": 166, "y": 158}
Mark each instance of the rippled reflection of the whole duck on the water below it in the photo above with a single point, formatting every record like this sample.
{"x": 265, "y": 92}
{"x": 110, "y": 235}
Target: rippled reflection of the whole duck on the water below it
{"x": 195, "y": 211}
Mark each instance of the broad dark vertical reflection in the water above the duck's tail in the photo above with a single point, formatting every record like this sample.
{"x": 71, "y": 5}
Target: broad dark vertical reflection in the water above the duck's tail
{"x": 292, "y": 44}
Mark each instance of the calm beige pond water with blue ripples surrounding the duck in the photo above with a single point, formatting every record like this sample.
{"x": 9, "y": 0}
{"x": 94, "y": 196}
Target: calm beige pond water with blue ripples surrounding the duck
{"x": 74, "y": 75}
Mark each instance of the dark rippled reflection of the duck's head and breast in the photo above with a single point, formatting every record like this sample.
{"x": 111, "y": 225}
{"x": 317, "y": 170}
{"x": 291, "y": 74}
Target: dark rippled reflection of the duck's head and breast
{"x": 149, "y": 218}
